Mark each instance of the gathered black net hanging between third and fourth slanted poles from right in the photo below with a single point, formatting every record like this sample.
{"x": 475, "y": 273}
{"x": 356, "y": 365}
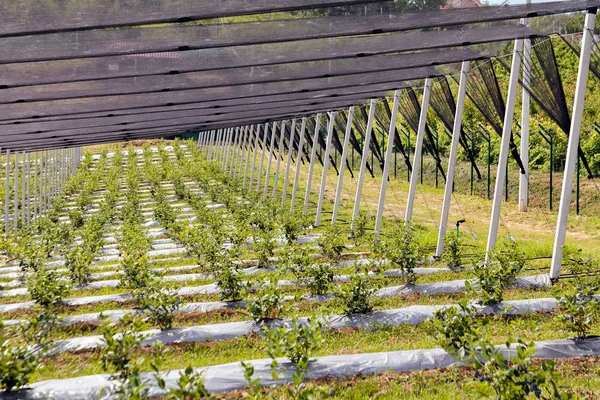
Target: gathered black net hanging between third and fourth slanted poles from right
{"x": 443, "y": 103}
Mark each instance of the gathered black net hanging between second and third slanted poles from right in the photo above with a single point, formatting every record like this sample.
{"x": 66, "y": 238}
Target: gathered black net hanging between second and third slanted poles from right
{"x": 484, "y": 91}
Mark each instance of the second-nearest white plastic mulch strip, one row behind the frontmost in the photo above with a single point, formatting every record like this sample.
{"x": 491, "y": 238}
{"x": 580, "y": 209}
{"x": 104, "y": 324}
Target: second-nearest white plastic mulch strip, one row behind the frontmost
{"x": 409, "y": 315}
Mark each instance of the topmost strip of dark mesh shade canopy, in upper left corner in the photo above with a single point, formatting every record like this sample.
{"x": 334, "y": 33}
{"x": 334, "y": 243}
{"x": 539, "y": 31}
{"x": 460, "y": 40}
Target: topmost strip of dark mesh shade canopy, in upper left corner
{"x": 38, "y": 16}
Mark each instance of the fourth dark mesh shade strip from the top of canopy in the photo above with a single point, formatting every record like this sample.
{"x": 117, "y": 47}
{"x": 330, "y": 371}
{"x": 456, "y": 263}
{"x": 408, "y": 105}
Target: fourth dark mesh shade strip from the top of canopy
{"x": 234, "y": 77}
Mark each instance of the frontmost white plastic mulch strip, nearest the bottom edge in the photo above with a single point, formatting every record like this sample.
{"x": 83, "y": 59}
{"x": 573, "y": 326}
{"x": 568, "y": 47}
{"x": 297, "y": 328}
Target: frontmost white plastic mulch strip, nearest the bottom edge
{"x": 227, "y": 377}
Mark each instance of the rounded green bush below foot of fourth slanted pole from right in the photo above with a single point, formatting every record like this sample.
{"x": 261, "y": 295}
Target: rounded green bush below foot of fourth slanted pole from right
{"x": 401, "y": 248}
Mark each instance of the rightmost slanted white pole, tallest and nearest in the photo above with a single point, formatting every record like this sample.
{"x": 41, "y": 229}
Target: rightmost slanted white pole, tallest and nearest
{"x": 573, "y": 146}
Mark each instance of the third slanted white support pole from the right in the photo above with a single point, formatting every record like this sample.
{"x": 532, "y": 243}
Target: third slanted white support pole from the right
{"x": 464, "y": 74}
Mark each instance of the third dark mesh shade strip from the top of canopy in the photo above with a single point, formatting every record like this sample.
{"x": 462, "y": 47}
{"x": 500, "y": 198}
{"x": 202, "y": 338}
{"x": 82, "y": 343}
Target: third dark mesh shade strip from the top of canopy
{"x": 216, "y": 60}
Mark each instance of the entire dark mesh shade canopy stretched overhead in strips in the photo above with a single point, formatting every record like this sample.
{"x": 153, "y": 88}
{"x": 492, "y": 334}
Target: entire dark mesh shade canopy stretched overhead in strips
{"x": 87, "y": 72}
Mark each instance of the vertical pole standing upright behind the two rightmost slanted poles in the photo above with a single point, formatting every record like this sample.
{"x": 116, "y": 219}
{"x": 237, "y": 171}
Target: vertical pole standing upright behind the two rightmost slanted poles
{"x": 525, "y": 128}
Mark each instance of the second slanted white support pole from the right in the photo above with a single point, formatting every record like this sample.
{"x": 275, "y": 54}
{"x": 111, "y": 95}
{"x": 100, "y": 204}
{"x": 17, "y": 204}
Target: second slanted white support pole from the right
{"x": 504, "y": 147}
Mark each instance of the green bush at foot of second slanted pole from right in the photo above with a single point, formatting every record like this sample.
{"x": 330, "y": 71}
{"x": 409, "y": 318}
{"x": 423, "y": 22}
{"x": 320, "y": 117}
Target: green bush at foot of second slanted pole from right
{"x": 495, "y": 276}
